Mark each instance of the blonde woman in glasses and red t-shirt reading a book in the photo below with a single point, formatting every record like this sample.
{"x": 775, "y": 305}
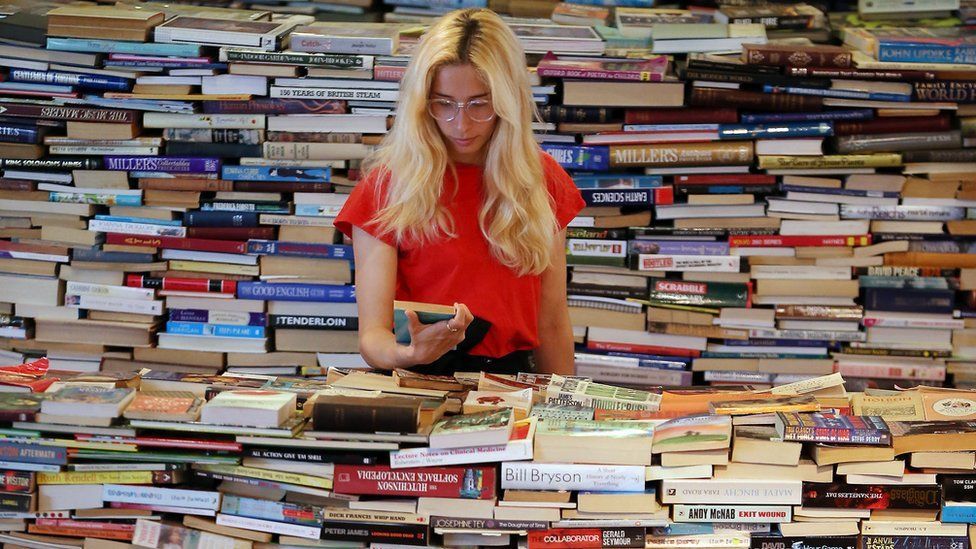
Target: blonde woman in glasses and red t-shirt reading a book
{"x": 460, "y": 206}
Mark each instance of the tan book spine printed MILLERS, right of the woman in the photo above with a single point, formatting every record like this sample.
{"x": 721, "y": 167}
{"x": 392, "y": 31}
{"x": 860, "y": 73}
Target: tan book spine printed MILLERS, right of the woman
{"x": 681, "y": 154}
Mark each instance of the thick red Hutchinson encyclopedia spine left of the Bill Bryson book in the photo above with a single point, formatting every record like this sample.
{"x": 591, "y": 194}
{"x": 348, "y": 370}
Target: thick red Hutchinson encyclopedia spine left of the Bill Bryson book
{"x": 441, "y": 482}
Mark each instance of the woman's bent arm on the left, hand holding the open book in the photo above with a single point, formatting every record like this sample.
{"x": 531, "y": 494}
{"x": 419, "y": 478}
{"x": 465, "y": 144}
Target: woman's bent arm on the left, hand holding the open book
{"x": 376, "y": 267}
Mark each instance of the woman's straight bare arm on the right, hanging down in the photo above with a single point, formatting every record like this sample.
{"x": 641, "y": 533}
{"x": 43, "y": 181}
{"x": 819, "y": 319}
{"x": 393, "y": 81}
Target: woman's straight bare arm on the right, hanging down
{"x": 555, "y": 352}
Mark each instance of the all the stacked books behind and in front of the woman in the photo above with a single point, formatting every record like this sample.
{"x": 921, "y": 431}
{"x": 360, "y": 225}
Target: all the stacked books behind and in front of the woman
{"x": 781, "y": 213}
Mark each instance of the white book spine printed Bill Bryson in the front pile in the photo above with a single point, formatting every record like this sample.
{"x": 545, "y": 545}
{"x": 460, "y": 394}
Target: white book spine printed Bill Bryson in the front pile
{"x": 547, "y": 476}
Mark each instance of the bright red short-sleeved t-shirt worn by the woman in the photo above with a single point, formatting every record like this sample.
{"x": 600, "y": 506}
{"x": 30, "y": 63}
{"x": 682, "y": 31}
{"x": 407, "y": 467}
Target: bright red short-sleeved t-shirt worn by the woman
{"x": 462, "y": 269}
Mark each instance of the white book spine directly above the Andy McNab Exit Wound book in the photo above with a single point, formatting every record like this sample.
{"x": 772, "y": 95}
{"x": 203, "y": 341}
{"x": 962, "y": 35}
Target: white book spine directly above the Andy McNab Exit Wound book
{"x": 762, "y": 492}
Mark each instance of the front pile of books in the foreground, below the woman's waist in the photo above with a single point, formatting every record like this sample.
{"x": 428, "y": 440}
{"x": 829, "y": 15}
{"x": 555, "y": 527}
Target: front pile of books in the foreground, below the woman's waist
{"x": 367, "y": 459}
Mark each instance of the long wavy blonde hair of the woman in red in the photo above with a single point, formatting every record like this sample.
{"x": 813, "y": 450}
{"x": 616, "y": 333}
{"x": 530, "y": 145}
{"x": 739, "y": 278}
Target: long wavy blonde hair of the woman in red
{"x": 516, "y": 217}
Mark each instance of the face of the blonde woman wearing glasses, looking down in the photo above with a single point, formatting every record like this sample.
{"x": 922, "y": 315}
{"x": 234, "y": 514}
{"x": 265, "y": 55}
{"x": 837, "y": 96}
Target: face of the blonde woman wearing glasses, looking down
{"x": 466, "y": 138}
